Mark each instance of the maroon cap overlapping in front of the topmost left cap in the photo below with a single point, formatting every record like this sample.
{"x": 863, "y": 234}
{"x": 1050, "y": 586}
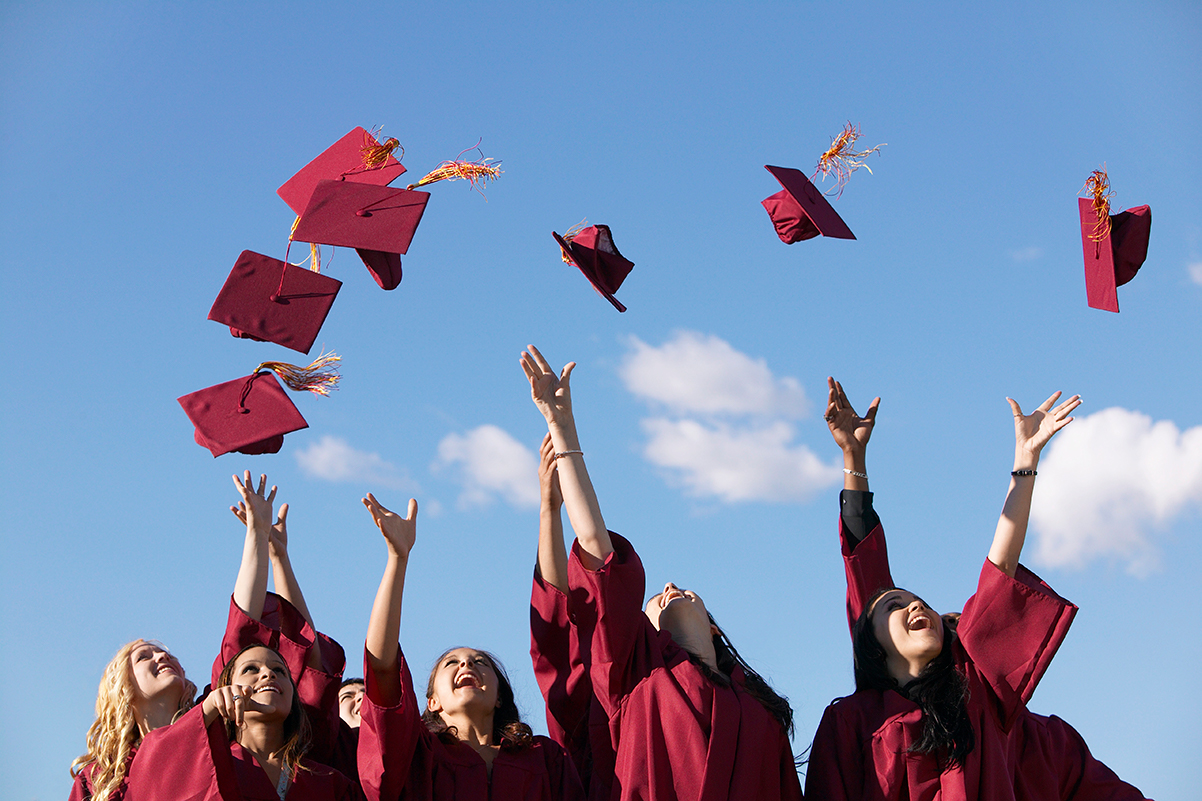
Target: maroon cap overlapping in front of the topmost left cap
{"x": 378, "y": 222}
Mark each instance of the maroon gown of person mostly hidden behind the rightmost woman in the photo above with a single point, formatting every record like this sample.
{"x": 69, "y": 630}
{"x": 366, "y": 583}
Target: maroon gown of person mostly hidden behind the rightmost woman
{"x": 1049, "y": 758}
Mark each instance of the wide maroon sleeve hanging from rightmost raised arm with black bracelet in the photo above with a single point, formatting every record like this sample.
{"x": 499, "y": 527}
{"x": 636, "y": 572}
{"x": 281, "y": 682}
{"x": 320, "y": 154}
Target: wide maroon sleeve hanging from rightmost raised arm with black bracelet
{"x": 1010, "y": 631}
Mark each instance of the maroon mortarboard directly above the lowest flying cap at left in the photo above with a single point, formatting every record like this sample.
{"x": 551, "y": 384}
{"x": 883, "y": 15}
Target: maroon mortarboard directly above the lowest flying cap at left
{"x": 270, "y": 300}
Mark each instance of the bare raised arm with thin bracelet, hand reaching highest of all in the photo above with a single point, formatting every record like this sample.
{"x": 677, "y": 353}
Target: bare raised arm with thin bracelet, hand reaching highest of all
{"x": 554, "y": 399}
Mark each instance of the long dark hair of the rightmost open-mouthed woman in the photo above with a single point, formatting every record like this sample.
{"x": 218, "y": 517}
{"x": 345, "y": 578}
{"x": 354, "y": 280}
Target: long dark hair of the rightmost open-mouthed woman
{"x": 939, "y": 691}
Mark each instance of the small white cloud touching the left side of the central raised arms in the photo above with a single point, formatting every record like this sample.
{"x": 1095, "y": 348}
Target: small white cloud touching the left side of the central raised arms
{"x": 492, "y": 464}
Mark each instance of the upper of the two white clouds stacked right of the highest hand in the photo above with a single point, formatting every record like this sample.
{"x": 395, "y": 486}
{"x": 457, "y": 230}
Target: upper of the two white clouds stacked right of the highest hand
{"x": 699, "y": 375}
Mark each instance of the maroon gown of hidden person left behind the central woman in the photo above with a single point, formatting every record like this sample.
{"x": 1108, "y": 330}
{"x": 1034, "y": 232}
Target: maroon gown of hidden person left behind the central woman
{"x": 575, "y": 719}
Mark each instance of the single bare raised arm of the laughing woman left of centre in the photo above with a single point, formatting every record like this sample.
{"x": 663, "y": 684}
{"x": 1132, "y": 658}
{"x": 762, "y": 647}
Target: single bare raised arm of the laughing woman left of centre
{"x": 384, "y": 630}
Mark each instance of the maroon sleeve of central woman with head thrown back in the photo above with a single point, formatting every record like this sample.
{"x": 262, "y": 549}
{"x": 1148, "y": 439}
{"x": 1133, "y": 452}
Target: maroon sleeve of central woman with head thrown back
{"x": 621, "y": 644}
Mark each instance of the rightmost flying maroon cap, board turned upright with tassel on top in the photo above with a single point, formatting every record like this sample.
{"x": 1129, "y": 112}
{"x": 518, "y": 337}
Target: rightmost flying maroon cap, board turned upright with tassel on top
{"x": 1115, "y": 246}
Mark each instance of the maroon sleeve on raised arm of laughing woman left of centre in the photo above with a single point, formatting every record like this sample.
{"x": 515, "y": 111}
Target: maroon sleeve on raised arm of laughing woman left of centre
{"x": 389, "y": 737}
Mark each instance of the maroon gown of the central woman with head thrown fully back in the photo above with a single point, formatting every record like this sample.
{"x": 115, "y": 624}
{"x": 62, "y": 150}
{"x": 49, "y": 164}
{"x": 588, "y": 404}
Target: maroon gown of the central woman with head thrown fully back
{"x": 677, "y": 734}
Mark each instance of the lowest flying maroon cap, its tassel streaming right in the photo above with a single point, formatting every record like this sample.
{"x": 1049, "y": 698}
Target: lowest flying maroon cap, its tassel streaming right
{"x": 252, "y": 416}
